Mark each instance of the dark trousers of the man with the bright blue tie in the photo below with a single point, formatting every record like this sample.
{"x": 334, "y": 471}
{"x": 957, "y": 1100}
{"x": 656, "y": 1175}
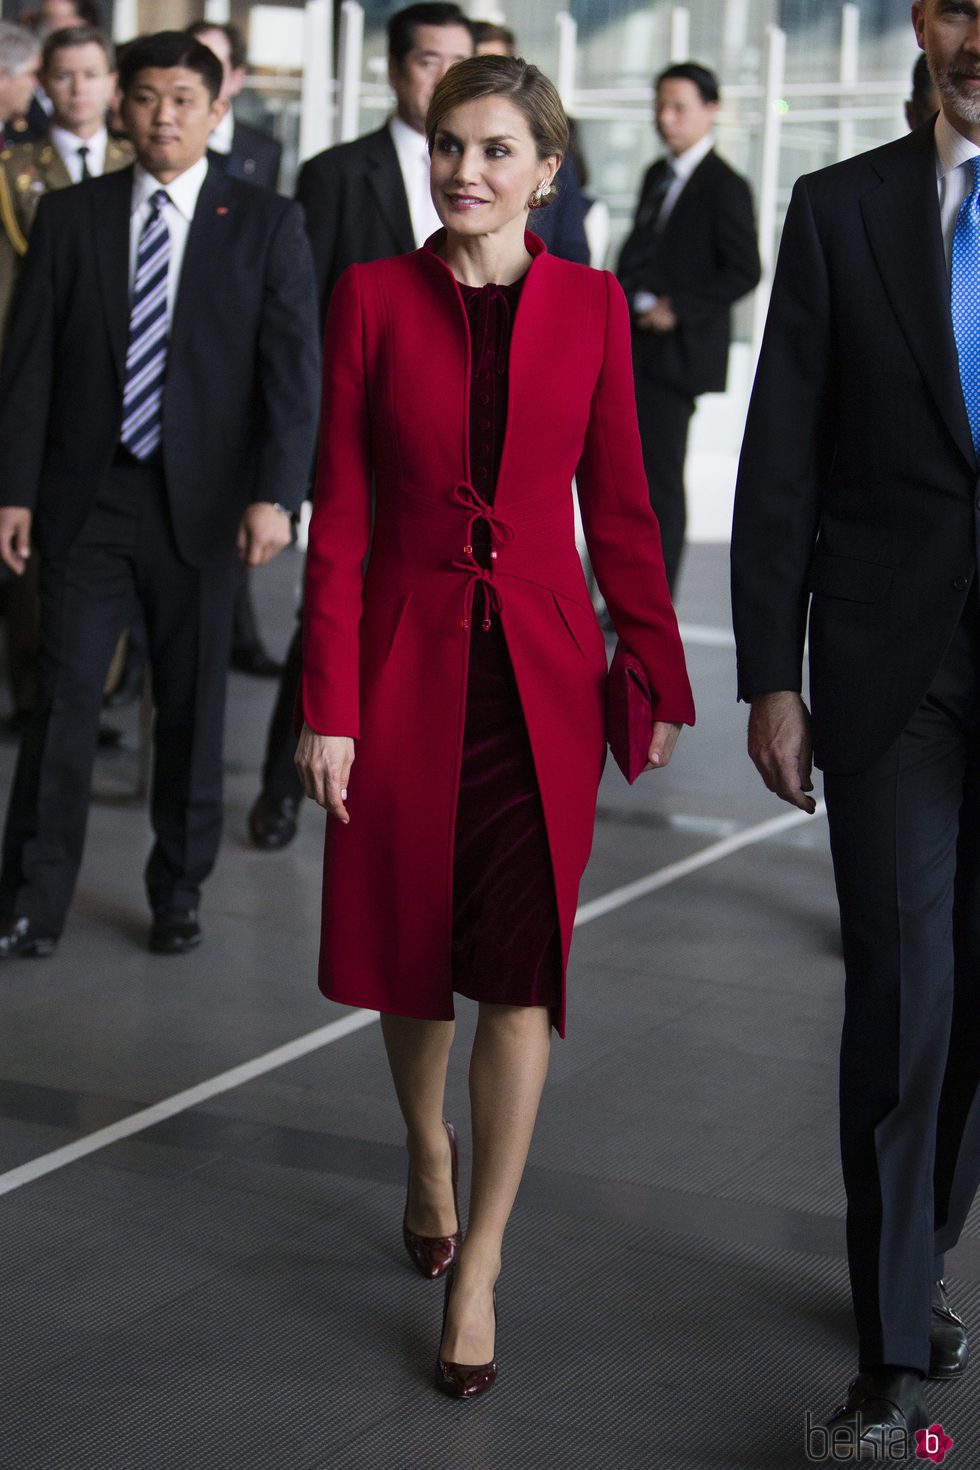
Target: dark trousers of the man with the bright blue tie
{"x": 906, "y": 839}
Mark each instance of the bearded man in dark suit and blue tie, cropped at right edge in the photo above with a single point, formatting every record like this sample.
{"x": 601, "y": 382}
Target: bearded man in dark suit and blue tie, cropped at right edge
{"x": 859, "y": 503}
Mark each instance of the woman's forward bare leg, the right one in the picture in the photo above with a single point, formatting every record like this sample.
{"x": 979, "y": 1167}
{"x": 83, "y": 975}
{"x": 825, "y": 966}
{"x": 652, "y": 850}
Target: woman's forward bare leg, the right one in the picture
{"x": 508, "y": 1075}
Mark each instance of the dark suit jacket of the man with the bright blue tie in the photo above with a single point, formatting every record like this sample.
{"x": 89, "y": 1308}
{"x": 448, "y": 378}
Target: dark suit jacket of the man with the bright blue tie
{"x": 857, "y": 495}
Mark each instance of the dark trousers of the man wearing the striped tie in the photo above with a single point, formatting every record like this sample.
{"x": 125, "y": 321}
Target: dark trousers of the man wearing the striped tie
{"x": 124, "y": 559}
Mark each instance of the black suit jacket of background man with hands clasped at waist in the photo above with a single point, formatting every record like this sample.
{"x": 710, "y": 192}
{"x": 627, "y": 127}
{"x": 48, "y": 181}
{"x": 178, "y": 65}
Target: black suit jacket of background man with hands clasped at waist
{"x": 705, "y": 259}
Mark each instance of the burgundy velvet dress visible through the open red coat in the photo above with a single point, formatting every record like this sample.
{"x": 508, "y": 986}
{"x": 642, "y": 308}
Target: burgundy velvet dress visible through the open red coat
{"x": 506, "y": 939}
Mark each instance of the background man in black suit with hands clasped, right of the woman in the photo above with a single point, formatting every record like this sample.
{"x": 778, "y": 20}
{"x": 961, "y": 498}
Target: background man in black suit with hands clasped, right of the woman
{"x": 690, "y": 258}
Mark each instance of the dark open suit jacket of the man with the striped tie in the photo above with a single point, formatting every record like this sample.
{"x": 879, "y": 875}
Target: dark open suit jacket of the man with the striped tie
{"x": 243, "y": 367}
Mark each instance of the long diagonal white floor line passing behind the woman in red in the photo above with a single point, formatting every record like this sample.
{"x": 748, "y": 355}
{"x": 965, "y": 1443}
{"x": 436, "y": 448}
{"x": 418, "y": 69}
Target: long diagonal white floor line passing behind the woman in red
{"x": 325, "y": 1036}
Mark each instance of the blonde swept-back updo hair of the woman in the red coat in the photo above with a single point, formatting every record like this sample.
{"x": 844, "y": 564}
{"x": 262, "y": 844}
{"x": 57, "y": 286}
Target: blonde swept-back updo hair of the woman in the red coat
{"x": 522, "y": 85}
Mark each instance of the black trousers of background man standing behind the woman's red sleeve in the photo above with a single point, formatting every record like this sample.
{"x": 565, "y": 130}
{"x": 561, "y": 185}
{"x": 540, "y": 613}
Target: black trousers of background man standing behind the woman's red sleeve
{"x": 665, "y": 418}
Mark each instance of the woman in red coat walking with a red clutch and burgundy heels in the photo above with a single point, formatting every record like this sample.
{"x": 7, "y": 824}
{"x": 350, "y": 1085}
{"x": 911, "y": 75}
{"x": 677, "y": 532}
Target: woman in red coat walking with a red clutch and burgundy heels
{"x": 469, "y": 383}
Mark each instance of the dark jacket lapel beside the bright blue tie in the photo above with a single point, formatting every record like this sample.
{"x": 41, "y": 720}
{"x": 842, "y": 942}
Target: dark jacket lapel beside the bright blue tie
{"x": 901, "y": 217}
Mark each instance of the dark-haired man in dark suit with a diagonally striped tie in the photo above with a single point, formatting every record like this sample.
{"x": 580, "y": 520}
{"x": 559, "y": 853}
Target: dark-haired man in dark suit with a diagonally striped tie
{"x": 158, "y": 411}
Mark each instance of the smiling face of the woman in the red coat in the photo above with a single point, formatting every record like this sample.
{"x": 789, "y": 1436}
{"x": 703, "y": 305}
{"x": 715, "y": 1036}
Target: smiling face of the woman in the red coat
{"x": 486, "y": 167}
